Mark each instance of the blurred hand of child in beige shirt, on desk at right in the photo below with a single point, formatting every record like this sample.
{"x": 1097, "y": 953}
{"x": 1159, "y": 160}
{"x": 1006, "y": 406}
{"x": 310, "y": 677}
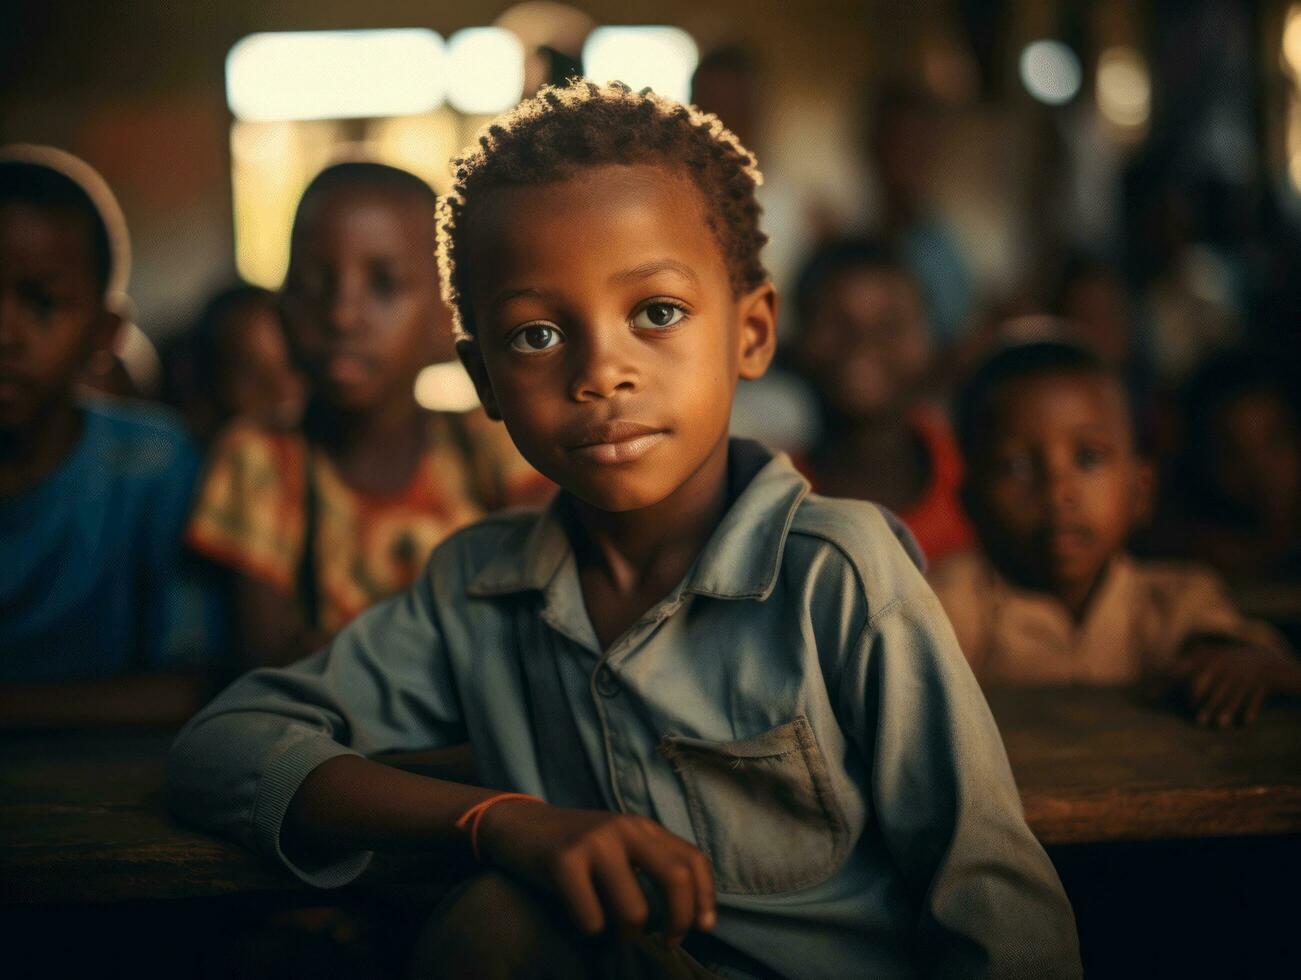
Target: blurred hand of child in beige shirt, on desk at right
{"x": 1226, "y": 684}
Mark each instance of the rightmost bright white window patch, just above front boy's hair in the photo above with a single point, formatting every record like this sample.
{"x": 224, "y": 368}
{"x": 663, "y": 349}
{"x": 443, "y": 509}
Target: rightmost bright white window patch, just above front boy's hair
{"x": 662, "y": 59}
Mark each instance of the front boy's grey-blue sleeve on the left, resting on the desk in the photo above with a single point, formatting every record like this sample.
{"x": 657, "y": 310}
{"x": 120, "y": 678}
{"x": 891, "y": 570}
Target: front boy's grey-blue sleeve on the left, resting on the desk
{"x": 383, "y": 685}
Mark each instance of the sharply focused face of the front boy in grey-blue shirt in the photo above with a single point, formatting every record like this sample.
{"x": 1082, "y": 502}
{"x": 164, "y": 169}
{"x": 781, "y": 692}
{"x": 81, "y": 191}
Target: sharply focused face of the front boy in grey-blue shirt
{"x": 608, "y": 338}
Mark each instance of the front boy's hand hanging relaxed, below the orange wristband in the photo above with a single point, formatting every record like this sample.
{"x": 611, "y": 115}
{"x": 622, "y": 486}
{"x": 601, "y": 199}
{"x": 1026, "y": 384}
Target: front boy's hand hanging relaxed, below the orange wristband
{"x": 591, "y": 858}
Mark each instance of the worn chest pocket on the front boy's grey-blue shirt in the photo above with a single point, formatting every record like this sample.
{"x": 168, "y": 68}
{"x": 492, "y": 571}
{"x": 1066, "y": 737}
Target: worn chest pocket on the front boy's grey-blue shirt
{"x": 763, "y": 810}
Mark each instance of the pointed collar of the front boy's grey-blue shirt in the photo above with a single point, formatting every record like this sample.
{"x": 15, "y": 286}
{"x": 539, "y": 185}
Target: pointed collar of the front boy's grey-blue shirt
{"x": 741, "y": 560}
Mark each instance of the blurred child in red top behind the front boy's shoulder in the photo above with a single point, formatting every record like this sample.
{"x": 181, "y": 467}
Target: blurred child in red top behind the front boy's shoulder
{"x": 865, "y": 346}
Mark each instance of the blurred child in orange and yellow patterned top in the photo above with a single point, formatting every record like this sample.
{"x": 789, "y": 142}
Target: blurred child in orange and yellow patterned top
{"x": 318, "y": 524}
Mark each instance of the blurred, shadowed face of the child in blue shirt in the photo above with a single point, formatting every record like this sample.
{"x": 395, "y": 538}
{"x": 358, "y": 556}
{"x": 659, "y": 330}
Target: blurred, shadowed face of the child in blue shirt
{"x": 53, "y": 317}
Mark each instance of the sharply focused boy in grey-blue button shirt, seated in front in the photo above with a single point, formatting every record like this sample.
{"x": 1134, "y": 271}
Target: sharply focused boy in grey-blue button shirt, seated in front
{"x": 733, "y": 696}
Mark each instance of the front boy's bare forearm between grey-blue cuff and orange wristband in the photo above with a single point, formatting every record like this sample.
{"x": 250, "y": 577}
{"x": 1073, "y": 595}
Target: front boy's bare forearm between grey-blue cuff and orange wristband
{"x": 353, "y": 804}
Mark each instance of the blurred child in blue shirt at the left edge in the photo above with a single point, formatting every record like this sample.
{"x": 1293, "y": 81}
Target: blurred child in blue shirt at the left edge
{"x": 98, "y": 621}
